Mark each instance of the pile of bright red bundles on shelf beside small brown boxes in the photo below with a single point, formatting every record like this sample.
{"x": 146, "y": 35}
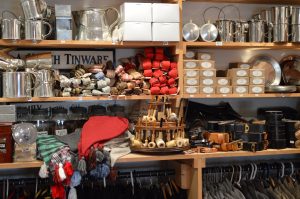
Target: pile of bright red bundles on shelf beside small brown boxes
{"x": 162, "y": 73}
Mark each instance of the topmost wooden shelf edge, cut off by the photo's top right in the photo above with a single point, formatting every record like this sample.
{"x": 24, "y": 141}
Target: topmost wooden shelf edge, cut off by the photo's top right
{"x": 287, "y": 2}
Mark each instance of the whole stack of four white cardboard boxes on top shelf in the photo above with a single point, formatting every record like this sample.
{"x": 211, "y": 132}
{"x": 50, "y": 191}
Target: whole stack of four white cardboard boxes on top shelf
{"x": 149, "y": 22}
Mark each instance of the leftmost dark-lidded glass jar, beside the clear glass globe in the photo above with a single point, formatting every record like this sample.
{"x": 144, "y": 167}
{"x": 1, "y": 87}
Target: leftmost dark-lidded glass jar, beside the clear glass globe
{"x": 40, "y": 118}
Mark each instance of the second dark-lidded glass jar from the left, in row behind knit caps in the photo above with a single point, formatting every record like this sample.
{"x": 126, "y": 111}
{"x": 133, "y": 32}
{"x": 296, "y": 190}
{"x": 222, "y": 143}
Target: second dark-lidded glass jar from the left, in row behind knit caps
{"x": 61, "y": 121}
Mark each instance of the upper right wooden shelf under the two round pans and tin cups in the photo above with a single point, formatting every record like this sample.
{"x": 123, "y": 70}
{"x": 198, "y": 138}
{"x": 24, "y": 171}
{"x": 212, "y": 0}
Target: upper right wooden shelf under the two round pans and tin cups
{"x": 240, "y": 45}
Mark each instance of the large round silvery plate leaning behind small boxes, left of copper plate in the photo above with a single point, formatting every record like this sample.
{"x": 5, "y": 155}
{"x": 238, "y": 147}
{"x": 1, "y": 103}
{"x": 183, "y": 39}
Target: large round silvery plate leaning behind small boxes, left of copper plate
{"x": 271, "y": 66}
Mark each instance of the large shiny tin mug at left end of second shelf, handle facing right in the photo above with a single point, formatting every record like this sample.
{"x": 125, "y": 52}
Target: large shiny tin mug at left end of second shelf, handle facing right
{"x": 18, "y": 84}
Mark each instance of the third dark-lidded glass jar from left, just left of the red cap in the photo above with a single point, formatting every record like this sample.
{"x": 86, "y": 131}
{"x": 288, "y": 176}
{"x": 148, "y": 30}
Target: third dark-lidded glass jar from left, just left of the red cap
{"x": 78, "y": 116}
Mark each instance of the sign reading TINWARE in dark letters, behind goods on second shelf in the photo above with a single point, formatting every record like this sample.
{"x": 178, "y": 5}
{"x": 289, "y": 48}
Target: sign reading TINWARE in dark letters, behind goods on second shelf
{"x": 68, "y": 59}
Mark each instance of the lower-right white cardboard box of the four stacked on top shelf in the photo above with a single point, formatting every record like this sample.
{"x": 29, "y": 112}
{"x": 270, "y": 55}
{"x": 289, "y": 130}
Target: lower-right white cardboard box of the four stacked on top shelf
{"x": 165, "y": 32}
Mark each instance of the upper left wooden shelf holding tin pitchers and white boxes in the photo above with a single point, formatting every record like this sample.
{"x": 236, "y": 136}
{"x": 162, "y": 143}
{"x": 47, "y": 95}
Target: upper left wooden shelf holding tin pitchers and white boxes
{"x": 81, "y": 44}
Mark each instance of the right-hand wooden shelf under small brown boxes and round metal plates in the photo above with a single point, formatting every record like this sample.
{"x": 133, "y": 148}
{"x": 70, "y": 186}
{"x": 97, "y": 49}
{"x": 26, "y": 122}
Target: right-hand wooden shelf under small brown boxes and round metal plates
{"x": 265, "y": 95}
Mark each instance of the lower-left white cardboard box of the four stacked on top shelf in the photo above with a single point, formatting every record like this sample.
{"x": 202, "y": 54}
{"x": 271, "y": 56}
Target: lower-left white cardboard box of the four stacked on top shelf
{"x": 136, "y": 31}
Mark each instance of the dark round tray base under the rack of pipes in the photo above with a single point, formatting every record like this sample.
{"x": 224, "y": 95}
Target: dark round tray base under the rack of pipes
{"x": 158, "y": 151}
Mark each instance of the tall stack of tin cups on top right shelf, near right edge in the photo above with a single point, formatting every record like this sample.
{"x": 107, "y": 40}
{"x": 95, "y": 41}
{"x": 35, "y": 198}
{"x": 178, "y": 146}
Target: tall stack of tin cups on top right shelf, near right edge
{"x": 280, "y": 19}
